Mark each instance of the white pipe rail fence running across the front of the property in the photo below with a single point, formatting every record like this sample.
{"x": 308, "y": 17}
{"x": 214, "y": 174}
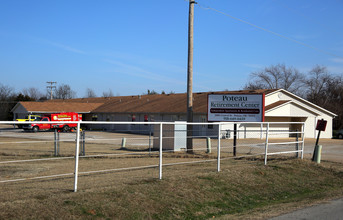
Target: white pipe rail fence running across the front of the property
{"x": 159, "y": 144}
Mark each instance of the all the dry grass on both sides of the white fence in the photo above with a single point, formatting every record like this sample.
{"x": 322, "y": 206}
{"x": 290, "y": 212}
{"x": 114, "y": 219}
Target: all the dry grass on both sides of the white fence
{"x": 242, "y": 189}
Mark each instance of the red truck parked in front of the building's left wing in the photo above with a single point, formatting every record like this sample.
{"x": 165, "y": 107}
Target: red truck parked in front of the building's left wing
{"x": 58, "y": 117}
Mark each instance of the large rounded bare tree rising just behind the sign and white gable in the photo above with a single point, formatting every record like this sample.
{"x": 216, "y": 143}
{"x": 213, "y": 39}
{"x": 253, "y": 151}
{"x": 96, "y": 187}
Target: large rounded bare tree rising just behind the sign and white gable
{"x": 276, "y": 77}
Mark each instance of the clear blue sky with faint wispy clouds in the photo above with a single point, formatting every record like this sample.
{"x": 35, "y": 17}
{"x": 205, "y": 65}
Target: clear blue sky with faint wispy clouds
{"x": 128, "y": 47}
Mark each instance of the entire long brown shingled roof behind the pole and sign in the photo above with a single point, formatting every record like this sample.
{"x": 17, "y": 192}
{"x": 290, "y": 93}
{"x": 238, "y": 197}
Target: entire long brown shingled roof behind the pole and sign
{"x": 164, "y": 103}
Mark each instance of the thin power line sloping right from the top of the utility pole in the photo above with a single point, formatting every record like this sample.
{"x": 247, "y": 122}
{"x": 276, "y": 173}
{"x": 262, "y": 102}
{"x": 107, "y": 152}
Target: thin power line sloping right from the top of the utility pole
{"x": 272, "y": 32}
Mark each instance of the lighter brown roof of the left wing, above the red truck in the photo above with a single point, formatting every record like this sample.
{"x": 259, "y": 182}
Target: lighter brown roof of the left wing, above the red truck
{"x": 59, "y": 107}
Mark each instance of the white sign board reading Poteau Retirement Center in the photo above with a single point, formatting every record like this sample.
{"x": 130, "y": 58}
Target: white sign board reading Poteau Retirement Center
{"x": 236, "y": 107}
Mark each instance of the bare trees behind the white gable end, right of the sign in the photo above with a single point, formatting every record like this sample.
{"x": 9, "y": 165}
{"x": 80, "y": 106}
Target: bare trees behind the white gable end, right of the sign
{"x": 318, "y": 86}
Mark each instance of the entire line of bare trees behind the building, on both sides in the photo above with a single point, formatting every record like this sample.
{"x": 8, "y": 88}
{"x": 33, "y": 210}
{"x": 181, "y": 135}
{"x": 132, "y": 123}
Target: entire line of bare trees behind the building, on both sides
{"x": 317, "y": 85}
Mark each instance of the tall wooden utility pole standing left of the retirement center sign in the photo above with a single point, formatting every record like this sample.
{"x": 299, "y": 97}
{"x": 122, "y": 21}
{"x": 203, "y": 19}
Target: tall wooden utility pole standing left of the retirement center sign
{"x": 190, "y": 78}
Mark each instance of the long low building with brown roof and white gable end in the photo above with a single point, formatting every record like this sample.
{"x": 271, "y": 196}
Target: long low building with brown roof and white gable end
{"x": 280, "y": 106}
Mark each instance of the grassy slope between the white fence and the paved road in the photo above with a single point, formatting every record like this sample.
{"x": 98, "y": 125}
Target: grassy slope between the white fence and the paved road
{"x": 242, "y": 187}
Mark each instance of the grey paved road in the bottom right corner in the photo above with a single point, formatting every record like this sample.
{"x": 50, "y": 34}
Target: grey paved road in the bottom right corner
{"x": 332, "y": 210}
